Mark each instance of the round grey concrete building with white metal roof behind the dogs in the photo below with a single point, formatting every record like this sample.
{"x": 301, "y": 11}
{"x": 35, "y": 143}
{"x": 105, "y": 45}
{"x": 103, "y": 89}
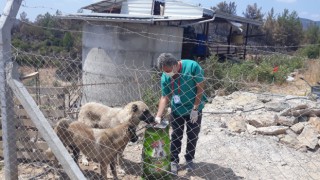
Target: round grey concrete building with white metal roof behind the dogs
{"x": 131, "y": 34}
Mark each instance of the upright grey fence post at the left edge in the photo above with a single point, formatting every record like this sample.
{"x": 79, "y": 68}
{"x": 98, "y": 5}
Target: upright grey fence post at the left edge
{"x": 7, "y": 111}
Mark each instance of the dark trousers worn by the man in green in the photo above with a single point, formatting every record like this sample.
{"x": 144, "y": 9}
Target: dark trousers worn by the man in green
{"x": 193, "y": 129}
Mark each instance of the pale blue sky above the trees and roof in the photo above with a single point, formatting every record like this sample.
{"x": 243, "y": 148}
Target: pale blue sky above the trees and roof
{"x": 305, "y": 8}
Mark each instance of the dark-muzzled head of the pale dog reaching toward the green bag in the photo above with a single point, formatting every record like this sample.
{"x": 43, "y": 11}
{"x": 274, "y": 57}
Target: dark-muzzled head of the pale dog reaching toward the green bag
{"x": 140, "y": 112}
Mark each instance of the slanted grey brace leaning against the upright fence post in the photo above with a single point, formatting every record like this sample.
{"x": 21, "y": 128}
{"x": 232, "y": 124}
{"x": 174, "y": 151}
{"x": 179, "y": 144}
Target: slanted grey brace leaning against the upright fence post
{"x": 61, "y": 153}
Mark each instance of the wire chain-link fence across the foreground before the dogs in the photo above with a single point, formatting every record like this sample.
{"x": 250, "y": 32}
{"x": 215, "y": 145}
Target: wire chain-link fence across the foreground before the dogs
{"x": 250, "y": 128}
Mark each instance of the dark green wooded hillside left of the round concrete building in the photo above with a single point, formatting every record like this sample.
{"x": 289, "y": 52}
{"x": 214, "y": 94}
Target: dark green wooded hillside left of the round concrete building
{"x": 47, "y": 35}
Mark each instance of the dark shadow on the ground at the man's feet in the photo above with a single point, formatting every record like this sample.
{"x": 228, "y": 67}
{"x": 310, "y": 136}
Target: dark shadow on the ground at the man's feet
{"x": 208, "y": 171}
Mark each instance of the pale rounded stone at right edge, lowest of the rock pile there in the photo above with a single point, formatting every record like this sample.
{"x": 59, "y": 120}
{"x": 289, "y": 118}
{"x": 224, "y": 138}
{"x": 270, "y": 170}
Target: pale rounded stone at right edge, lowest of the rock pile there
{"x": 309, "y": 137}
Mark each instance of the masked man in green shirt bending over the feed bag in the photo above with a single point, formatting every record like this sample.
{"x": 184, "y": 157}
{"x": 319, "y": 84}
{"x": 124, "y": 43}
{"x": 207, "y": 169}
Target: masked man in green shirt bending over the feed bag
{"x": 182, "y": 84}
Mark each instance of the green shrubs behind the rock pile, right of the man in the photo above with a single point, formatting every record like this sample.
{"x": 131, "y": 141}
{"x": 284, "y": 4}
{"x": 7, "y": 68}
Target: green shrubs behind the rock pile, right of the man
{"x": 233, "y": 77}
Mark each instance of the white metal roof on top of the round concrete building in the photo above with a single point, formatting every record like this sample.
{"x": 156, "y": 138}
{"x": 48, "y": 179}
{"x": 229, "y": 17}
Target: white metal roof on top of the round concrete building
{"x": 138, "y": 11}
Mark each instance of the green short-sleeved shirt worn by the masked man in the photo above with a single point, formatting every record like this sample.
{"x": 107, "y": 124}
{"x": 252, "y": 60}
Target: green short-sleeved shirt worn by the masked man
{"x": 190, "y": 74}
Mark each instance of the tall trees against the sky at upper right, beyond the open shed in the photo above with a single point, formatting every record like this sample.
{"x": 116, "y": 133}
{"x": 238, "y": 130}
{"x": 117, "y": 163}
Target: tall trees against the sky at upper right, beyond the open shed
{"x": 284, "y": 32}
